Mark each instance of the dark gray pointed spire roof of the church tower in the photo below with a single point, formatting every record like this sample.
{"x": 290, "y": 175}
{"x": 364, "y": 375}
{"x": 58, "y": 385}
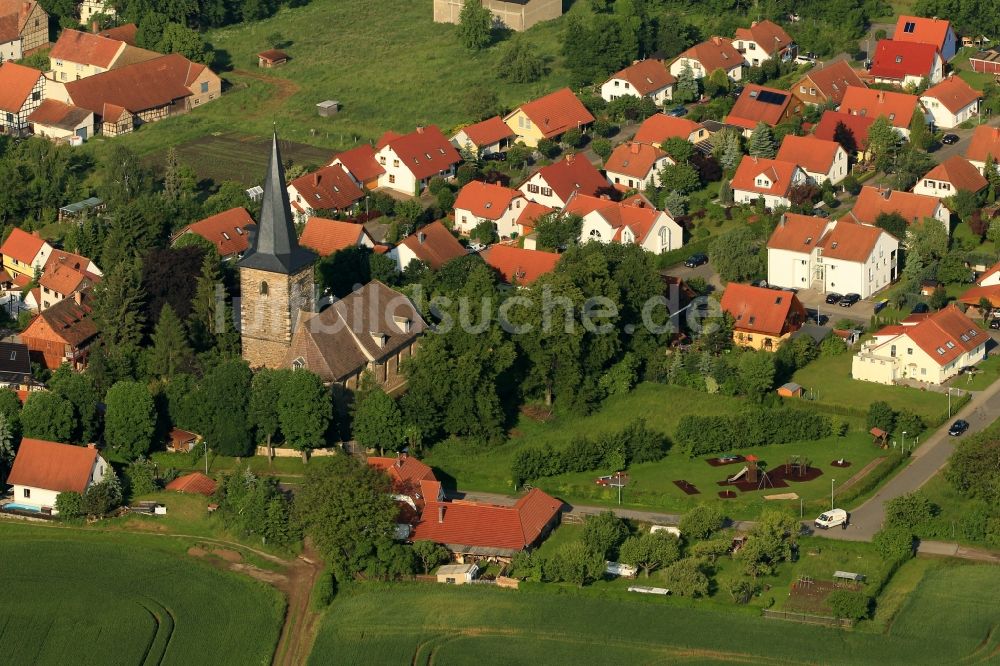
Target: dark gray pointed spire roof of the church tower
{"x": 274, "y": 245}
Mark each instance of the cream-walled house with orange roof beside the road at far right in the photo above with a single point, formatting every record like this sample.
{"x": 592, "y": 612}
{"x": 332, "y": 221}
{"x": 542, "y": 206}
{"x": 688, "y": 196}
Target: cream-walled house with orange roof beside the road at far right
{"x": 931, "y": 349}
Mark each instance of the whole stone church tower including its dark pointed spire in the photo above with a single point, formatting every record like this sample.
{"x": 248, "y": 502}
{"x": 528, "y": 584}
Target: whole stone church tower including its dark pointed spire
{"x": 276, "y": 275}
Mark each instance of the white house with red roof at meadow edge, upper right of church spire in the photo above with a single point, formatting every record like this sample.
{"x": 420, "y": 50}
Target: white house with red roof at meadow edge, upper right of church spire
{"x": 411, "y": 160}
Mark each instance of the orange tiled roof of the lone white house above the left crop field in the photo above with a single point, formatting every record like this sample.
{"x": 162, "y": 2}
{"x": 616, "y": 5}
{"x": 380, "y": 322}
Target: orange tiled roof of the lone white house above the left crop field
{"x": 52, "y": 466}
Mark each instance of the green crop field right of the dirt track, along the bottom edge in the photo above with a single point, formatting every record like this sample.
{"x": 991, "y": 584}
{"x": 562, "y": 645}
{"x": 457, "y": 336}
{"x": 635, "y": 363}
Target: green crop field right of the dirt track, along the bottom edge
{"x": 952, "y": 618}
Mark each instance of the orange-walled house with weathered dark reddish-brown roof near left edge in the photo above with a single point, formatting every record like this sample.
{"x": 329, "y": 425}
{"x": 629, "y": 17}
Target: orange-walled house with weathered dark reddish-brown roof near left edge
{"x": 62, "y": 334}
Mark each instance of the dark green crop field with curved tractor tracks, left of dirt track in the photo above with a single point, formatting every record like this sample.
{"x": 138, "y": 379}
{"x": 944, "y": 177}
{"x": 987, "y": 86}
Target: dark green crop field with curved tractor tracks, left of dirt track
{"x": 92, "y": 598}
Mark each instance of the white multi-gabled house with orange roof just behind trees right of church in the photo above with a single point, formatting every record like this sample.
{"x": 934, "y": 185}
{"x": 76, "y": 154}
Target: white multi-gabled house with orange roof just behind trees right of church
{"x": 627, "y": 222}
